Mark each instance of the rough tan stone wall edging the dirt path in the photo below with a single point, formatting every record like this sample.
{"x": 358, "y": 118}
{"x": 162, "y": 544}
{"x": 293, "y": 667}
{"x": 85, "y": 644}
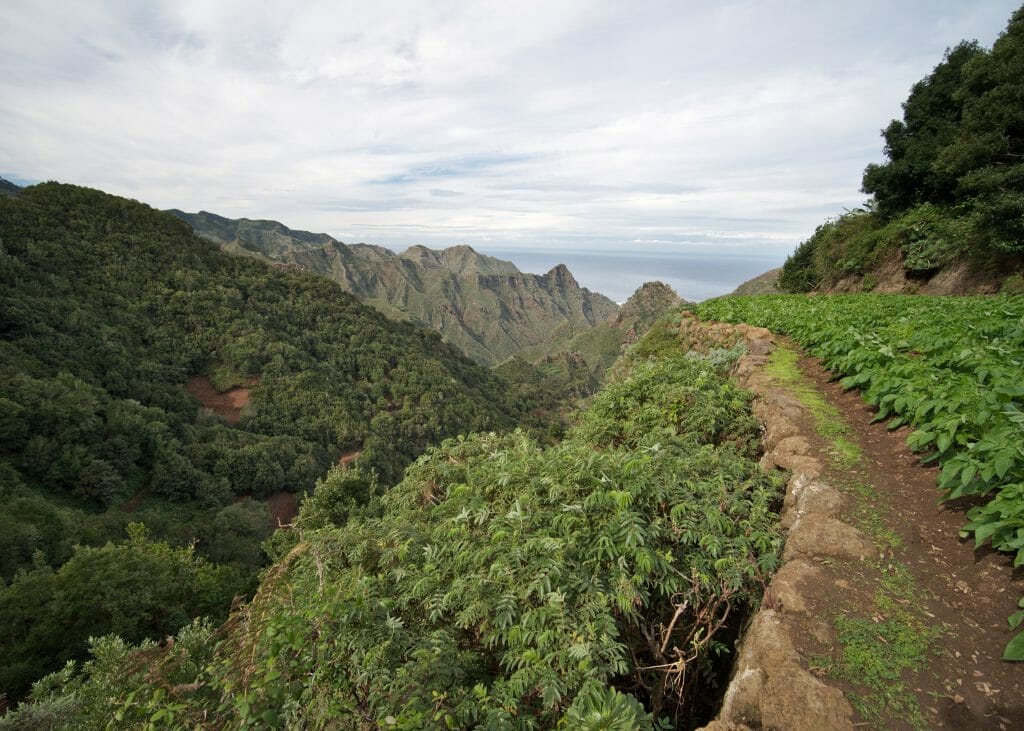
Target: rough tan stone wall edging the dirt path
{"x": 772, "y": 687}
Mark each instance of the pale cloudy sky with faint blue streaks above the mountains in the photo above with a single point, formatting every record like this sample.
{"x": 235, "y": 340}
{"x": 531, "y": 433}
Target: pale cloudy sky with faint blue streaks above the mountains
{"x": 509, "y": 125}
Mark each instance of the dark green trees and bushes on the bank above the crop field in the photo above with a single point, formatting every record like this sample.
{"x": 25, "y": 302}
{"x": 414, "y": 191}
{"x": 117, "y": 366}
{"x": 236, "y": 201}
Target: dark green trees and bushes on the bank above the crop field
{"x": 953, "y": 187}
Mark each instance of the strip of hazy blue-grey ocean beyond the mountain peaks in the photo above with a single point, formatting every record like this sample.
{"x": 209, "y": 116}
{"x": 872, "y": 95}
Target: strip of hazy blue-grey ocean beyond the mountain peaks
{"x": 696, "y": 273}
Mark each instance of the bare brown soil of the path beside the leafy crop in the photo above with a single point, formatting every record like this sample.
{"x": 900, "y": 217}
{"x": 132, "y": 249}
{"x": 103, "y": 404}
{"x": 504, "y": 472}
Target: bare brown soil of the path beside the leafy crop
{"x": 968, "y": 686}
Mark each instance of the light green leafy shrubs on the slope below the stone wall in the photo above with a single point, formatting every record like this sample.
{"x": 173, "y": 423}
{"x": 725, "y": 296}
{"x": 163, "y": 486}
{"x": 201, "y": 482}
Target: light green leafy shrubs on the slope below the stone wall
{"x": 589, "y": 585}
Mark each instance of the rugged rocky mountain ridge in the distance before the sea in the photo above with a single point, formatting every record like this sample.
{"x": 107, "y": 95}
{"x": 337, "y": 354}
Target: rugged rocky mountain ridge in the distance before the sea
{"x": 484, "y": 306}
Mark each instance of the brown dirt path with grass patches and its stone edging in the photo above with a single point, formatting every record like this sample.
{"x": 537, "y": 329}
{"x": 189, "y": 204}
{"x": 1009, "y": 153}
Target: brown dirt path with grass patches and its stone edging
{"x": 880, "y": 616}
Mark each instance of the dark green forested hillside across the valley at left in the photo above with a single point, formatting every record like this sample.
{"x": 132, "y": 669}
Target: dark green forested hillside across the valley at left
{"x": 107, "y": 309}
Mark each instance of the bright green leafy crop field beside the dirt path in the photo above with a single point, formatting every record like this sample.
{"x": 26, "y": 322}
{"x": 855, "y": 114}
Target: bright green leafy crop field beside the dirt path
{"x": 949, "y": 367}
